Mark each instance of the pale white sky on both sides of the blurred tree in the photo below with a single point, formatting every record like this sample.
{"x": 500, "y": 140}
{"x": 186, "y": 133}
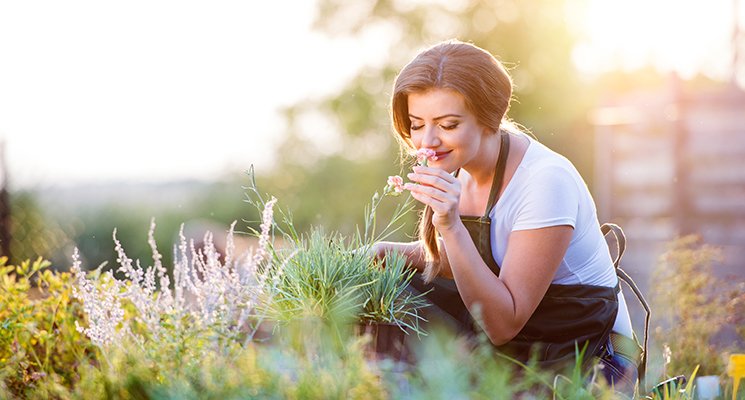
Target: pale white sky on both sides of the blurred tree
{"x": 94, "y": 91}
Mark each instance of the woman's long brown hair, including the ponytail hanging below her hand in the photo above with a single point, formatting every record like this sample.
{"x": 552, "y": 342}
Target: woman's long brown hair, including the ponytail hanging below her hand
{"x": 484, "y": 84}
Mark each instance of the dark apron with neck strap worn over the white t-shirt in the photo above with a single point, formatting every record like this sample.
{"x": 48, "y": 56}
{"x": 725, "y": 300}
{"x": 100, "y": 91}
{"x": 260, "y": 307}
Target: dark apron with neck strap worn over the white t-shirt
{"x": 568, "y": 315}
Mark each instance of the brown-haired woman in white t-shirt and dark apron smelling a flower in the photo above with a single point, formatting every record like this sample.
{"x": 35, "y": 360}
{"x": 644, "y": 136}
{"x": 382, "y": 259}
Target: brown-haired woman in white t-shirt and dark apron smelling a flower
{"x": 509, "y": 237}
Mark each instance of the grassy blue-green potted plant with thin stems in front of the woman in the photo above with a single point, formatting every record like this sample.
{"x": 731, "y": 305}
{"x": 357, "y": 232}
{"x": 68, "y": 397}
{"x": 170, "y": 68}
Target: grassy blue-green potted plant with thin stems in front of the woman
{"x": 320, "y": 278}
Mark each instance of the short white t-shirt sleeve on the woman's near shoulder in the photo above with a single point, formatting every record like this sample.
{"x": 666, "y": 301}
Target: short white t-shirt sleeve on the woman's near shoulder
{"x": 550, "y": 198}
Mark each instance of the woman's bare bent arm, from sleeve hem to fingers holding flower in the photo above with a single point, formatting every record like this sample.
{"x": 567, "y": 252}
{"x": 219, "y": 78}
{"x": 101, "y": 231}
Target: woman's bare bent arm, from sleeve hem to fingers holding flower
{"x": 501, "y": 304}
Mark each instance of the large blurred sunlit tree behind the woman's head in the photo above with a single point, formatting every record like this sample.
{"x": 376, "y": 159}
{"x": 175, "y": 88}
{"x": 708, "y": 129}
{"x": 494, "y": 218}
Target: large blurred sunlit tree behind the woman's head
{"x": 533, "y": 38}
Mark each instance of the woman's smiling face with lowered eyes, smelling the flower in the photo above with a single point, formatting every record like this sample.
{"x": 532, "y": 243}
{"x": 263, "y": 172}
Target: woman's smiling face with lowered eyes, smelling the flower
{"x": 440, "y": 121}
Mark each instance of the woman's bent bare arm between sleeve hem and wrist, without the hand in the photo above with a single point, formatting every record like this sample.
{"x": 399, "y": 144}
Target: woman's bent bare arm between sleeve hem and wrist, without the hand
{"x": 504, "y": 304}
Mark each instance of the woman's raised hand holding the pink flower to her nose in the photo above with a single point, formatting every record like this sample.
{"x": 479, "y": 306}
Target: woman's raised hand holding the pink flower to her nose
{"x": 439, "y": 190}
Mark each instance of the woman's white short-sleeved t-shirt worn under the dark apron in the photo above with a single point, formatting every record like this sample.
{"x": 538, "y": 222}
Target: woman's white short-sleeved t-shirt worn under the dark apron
{"x": 546, "y": 190}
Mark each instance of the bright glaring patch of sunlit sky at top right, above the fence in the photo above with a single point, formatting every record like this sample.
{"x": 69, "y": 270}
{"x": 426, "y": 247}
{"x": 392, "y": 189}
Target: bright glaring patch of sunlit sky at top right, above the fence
{"x": 687, "y": 36}
